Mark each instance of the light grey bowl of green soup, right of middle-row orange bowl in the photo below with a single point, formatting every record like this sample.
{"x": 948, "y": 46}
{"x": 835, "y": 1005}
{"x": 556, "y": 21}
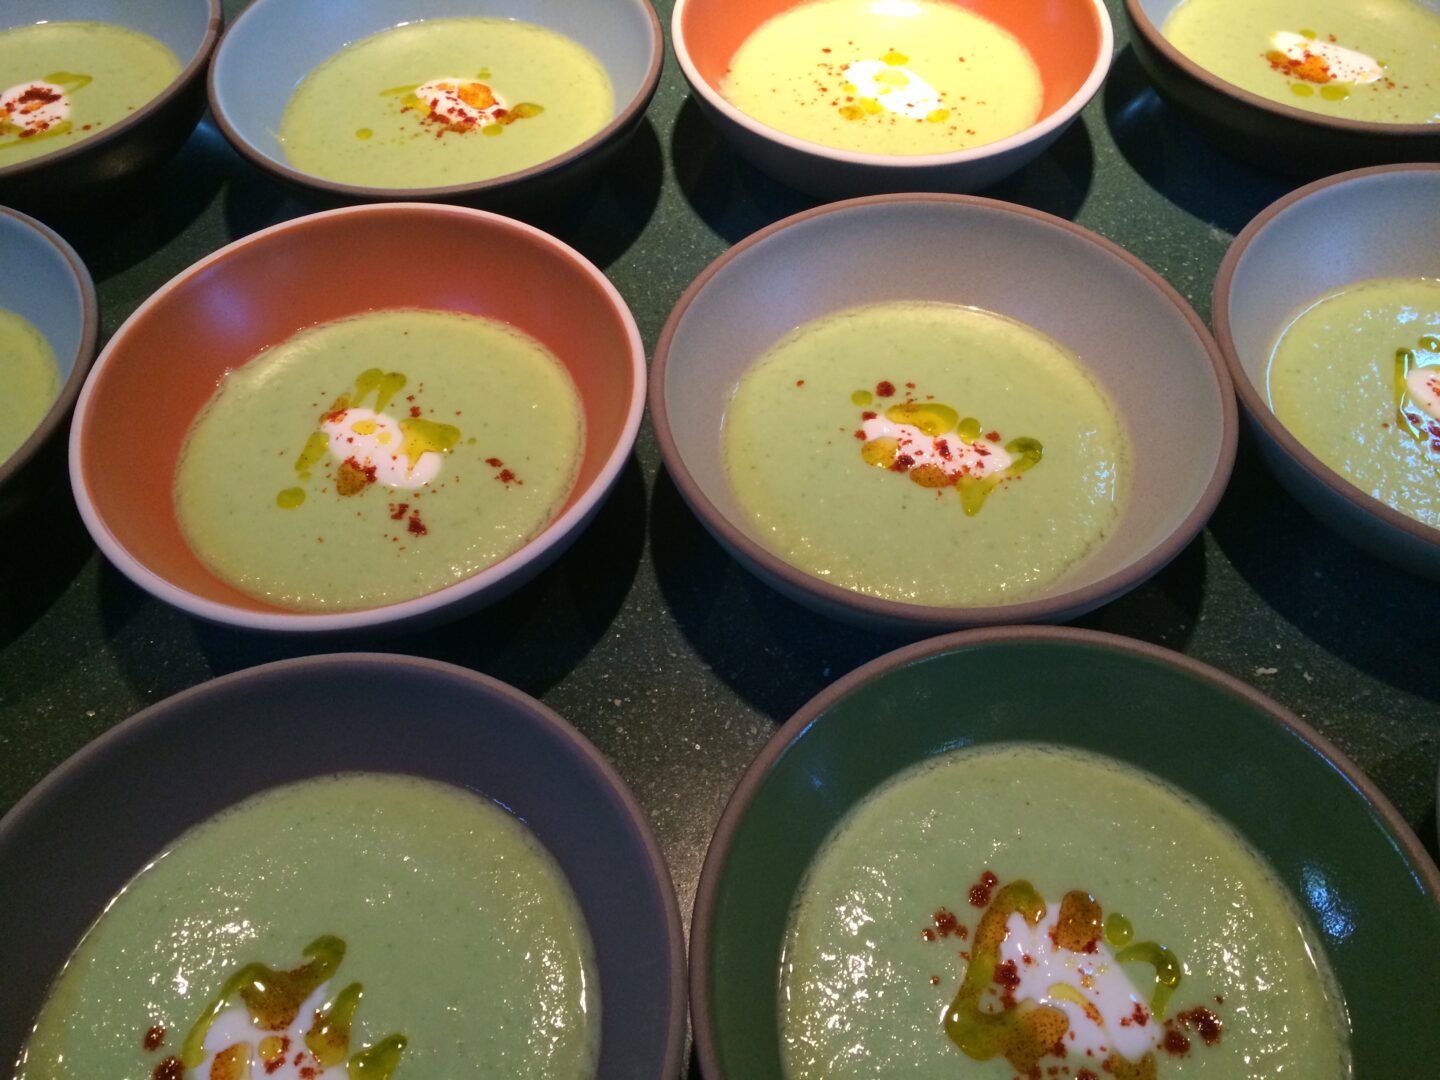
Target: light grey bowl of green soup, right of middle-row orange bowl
{"x": 925, "y": 413}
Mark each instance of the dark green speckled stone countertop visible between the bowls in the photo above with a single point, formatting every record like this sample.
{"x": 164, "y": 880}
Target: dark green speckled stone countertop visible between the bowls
{"x": 647, "y": 637}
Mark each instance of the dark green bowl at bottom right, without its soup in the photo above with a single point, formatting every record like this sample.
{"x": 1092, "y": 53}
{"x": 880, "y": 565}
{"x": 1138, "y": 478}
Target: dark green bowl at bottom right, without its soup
{"x": 1350, "y": 860}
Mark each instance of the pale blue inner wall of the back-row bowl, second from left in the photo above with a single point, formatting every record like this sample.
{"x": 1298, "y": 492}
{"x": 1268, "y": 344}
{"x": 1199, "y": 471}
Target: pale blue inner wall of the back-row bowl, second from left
{"x": 284, "y": 41}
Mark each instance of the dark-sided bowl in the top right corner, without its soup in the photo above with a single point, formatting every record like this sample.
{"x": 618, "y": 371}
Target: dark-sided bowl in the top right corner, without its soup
{"x": 1274, "y": 136}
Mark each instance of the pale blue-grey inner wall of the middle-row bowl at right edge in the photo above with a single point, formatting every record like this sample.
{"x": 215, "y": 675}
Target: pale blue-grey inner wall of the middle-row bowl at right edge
{"x": 1379, "y": 225}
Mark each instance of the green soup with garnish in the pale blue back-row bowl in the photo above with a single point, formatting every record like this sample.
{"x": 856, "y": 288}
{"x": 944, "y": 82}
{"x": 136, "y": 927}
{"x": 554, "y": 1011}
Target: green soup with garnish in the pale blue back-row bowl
{"x": 446, "y": 102}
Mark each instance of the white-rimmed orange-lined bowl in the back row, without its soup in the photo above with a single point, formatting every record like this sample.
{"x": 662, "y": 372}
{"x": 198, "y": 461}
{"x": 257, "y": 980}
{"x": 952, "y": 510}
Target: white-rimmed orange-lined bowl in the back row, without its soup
{"x": 1071, "y": 42}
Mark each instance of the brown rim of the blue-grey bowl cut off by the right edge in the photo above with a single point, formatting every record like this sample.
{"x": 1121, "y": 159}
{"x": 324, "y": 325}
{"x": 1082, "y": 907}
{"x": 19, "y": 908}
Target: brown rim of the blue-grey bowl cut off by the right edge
{"x": 1252, "y": 400}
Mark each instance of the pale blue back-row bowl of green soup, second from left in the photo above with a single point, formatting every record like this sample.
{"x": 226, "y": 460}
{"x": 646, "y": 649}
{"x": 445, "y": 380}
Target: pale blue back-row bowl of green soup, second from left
{"x": 477, "y": 100}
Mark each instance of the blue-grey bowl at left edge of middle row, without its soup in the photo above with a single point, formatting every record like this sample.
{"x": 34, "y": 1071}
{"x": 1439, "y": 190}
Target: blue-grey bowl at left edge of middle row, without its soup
{"x": 44, "y": 282}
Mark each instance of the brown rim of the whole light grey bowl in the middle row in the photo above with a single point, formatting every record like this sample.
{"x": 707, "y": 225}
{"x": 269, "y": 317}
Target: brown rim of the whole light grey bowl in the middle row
{"x": 935, "y": 618}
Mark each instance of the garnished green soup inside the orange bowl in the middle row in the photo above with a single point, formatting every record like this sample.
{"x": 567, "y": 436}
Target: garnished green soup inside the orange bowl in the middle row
{"x": 379, "y": 459}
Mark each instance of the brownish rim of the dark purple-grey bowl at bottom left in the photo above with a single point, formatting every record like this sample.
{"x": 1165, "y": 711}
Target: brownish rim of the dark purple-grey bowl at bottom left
{"x": 539, "y": 714}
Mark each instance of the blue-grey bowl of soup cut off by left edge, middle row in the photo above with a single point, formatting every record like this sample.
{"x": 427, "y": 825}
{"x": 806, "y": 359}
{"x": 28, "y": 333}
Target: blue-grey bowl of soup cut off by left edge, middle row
{"x": 48, "y": 329}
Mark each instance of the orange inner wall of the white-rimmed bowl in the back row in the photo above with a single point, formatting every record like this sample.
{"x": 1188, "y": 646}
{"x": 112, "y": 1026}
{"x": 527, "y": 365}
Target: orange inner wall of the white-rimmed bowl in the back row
{"x": 1063, "y": 37}
